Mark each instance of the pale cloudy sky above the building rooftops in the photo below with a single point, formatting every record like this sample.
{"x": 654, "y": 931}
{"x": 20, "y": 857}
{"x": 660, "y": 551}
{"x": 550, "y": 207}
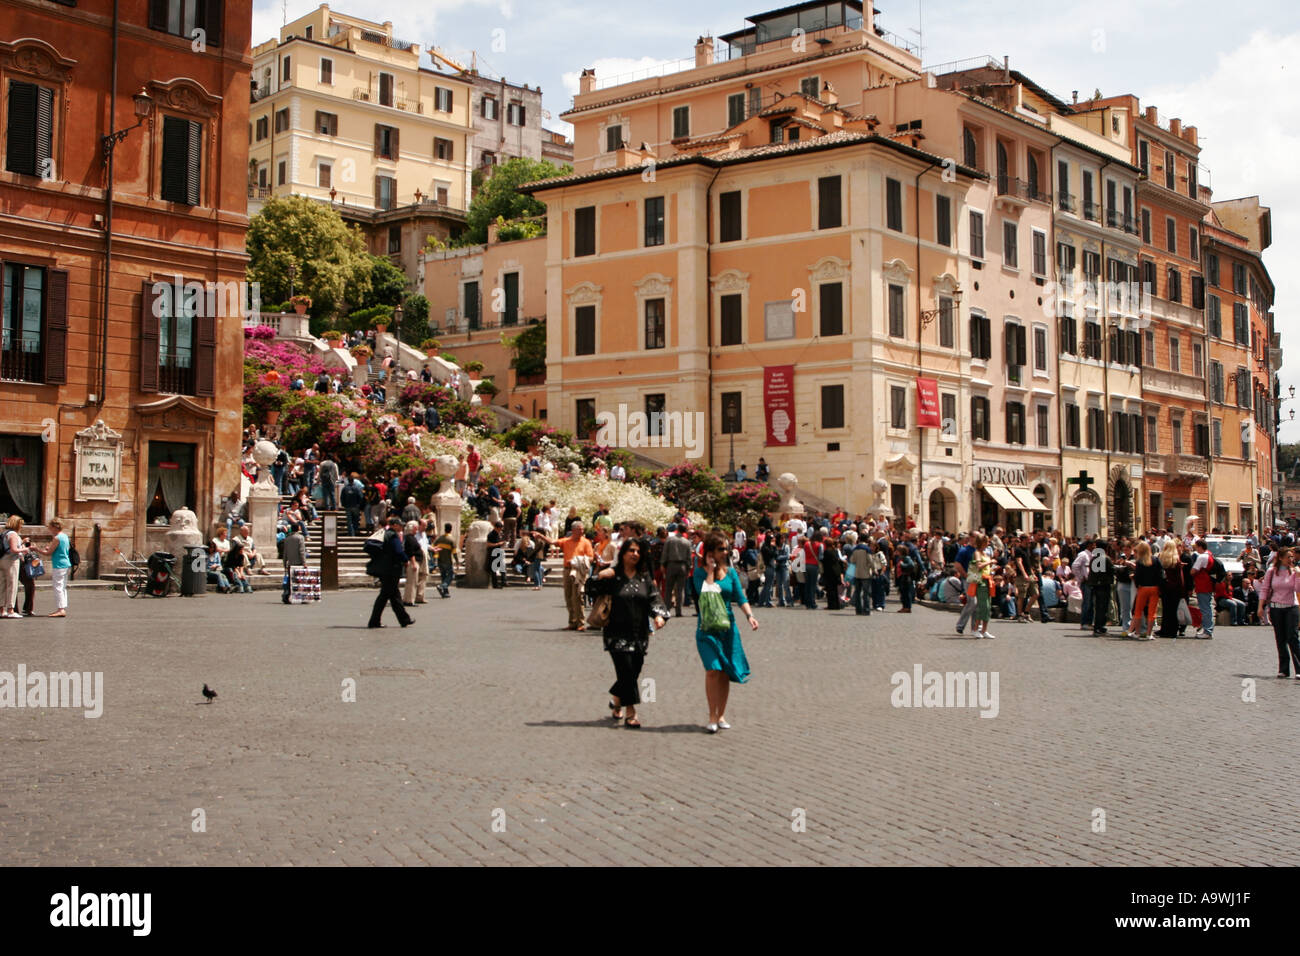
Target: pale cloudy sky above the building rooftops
{"x": 1221, "y": 68}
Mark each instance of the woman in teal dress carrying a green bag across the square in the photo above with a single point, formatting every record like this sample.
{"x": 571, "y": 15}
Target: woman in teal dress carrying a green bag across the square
{"x": 717, "y": 637}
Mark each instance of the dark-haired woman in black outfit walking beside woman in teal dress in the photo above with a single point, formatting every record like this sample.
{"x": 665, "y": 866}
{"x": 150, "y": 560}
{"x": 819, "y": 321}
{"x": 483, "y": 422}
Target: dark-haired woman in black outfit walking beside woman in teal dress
{"x": 627, "y": 635}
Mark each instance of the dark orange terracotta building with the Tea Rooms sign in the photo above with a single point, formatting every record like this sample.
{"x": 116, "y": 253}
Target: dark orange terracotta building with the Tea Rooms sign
{"x": 94, "y": 244}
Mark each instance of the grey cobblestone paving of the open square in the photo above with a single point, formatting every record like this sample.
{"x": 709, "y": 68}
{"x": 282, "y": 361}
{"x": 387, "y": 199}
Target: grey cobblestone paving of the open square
{"x": 487, "y": 711}
